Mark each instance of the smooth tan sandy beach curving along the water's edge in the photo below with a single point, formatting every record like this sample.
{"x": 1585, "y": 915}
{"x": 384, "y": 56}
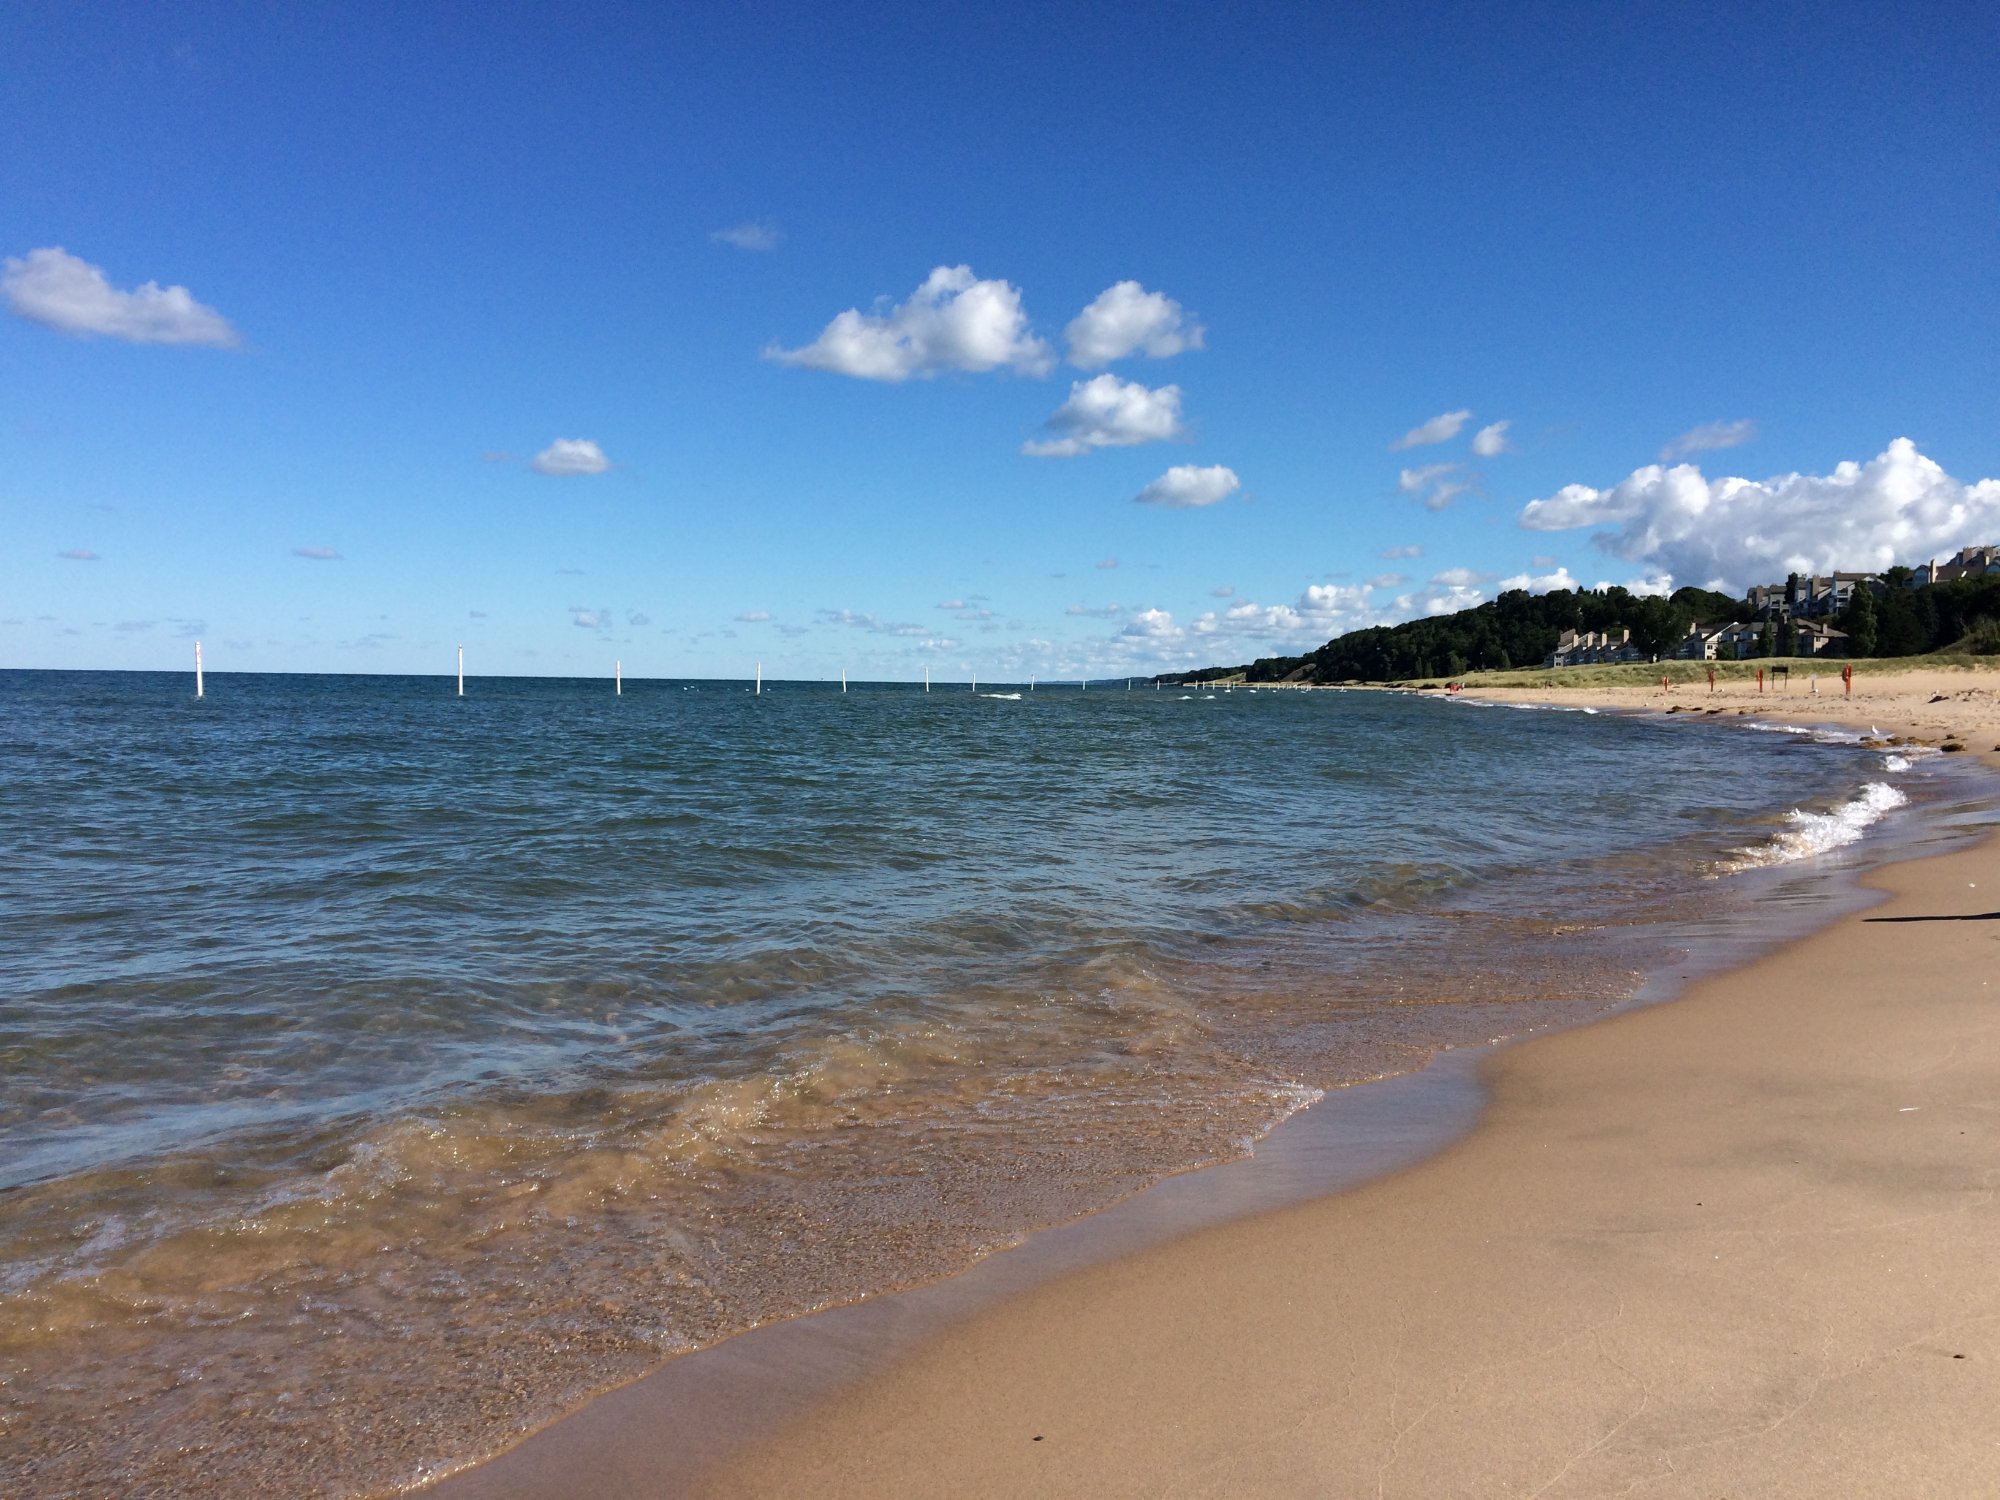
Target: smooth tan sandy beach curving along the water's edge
{"x": 1745, "y": 1243}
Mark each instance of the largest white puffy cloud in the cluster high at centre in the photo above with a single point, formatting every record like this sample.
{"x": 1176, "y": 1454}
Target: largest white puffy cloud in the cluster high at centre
{"x": 951, "y": 323}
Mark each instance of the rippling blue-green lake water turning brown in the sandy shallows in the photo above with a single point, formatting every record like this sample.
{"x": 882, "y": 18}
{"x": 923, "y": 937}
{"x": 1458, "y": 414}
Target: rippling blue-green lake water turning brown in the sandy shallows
{"x": 387, "y": 1071}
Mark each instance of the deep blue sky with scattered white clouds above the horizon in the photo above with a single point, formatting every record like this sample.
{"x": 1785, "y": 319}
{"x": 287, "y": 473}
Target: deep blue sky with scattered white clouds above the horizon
{"x": 421, "y": 249}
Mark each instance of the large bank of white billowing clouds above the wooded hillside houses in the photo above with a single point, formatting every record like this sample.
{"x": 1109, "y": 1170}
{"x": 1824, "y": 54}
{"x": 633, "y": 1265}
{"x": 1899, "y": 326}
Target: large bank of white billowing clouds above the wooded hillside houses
{"x": 1899, "y": 507}
